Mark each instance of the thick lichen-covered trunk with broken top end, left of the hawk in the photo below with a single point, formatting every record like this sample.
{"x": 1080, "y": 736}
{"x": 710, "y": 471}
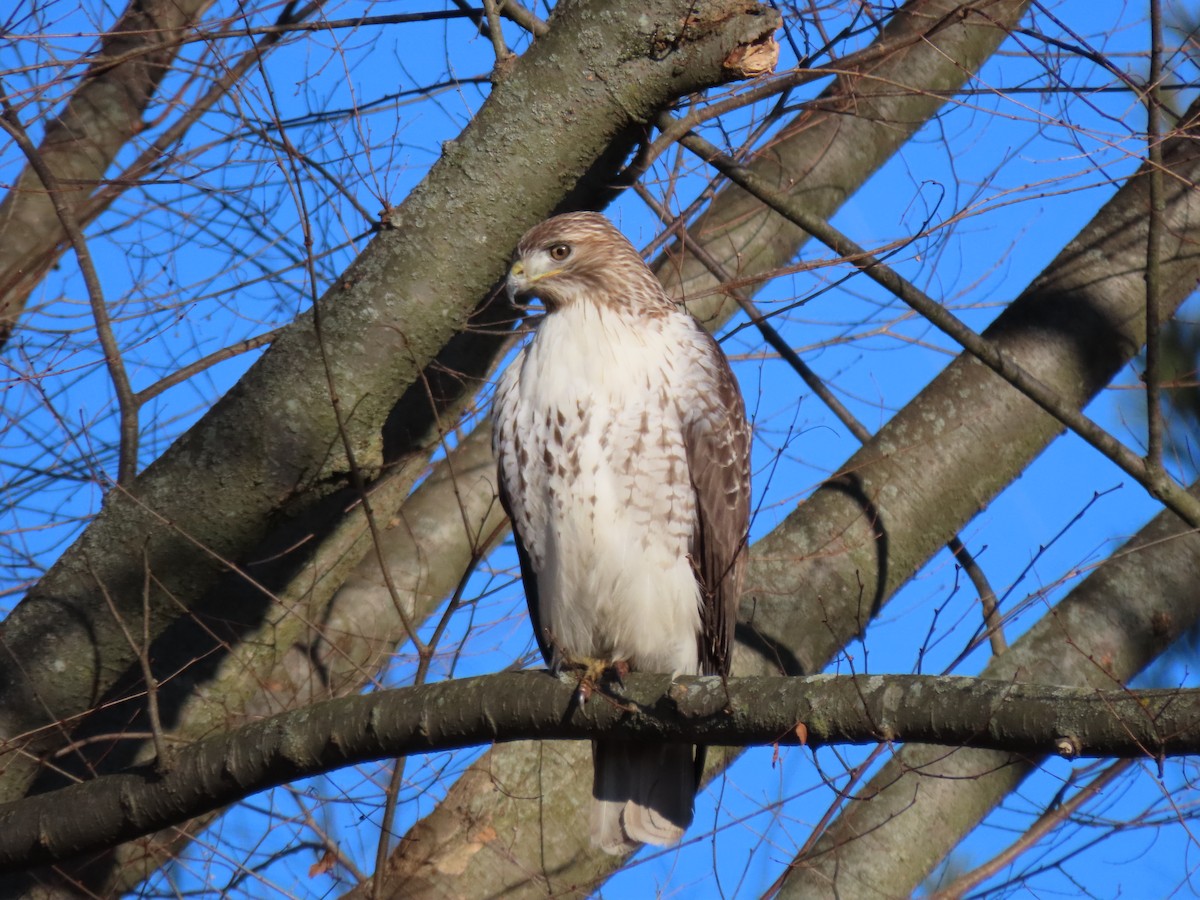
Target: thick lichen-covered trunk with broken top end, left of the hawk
{"x": 273, "y": 447}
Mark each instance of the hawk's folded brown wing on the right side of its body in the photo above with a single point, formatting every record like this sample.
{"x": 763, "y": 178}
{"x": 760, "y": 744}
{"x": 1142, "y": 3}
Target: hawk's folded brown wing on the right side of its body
{"x": 718, "y": 442}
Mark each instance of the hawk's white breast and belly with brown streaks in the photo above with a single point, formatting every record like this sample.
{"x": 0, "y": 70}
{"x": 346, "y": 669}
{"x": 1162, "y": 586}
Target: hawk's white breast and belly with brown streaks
{"x": 604, "y": 502}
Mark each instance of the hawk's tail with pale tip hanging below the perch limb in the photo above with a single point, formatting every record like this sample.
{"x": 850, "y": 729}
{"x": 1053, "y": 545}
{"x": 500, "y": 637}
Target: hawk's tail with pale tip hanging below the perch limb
{"x": 643, "y": 794}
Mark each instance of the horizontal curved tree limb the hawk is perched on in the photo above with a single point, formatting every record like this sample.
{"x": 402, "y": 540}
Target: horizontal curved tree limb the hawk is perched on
{"x": 835, "y": 710}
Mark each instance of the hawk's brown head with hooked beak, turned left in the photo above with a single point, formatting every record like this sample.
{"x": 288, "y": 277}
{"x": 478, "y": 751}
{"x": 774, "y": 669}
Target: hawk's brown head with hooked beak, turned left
{"x": 580, "y": 257}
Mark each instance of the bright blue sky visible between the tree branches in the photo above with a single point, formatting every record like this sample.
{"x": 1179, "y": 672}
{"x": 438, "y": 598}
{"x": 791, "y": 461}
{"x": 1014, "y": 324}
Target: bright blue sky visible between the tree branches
{"x": 1004, "y": 179}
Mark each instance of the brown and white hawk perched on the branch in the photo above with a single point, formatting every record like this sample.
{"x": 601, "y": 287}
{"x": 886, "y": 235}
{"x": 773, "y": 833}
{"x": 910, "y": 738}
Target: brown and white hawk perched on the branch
{"x": 625, "y": 466}
